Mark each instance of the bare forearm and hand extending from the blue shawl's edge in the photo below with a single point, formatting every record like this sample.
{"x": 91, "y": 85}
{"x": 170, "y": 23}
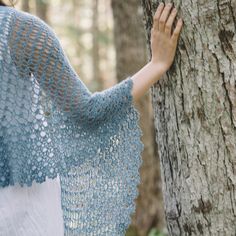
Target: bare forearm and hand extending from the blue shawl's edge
{"x": 163, "y": 45}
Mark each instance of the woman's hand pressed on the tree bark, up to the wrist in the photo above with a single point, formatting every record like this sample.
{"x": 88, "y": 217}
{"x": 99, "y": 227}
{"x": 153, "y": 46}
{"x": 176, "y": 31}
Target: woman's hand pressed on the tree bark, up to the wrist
{"x": 163, "y": 41}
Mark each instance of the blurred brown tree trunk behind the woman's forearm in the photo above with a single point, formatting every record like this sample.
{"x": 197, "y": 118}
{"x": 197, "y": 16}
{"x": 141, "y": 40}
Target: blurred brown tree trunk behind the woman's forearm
{"x": 131, "y": 55}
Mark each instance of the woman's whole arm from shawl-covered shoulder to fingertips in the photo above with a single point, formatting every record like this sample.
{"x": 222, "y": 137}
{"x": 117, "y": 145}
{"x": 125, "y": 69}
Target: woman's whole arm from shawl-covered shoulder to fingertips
{"x": 35, "y": 49}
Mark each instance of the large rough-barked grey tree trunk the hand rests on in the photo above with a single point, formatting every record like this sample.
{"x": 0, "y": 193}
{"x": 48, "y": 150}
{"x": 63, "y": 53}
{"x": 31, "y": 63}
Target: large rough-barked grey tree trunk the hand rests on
{"x": 195, "y": 117}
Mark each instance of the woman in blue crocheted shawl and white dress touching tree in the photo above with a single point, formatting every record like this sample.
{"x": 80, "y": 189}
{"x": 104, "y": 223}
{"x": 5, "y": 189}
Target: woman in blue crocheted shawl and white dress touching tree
{"x": 69, "y": 158}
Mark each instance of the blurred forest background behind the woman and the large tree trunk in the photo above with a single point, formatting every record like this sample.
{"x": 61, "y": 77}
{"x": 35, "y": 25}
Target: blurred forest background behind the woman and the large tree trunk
{"x": 105, "y": 42}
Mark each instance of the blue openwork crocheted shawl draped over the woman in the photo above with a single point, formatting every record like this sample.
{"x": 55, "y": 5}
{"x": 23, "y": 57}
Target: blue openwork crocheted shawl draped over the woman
{"x": 51, "y": 124}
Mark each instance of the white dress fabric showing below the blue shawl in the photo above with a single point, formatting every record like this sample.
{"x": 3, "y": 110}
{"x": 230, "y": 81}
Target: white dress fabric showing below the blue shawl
{"x": 31, "y": 211}
